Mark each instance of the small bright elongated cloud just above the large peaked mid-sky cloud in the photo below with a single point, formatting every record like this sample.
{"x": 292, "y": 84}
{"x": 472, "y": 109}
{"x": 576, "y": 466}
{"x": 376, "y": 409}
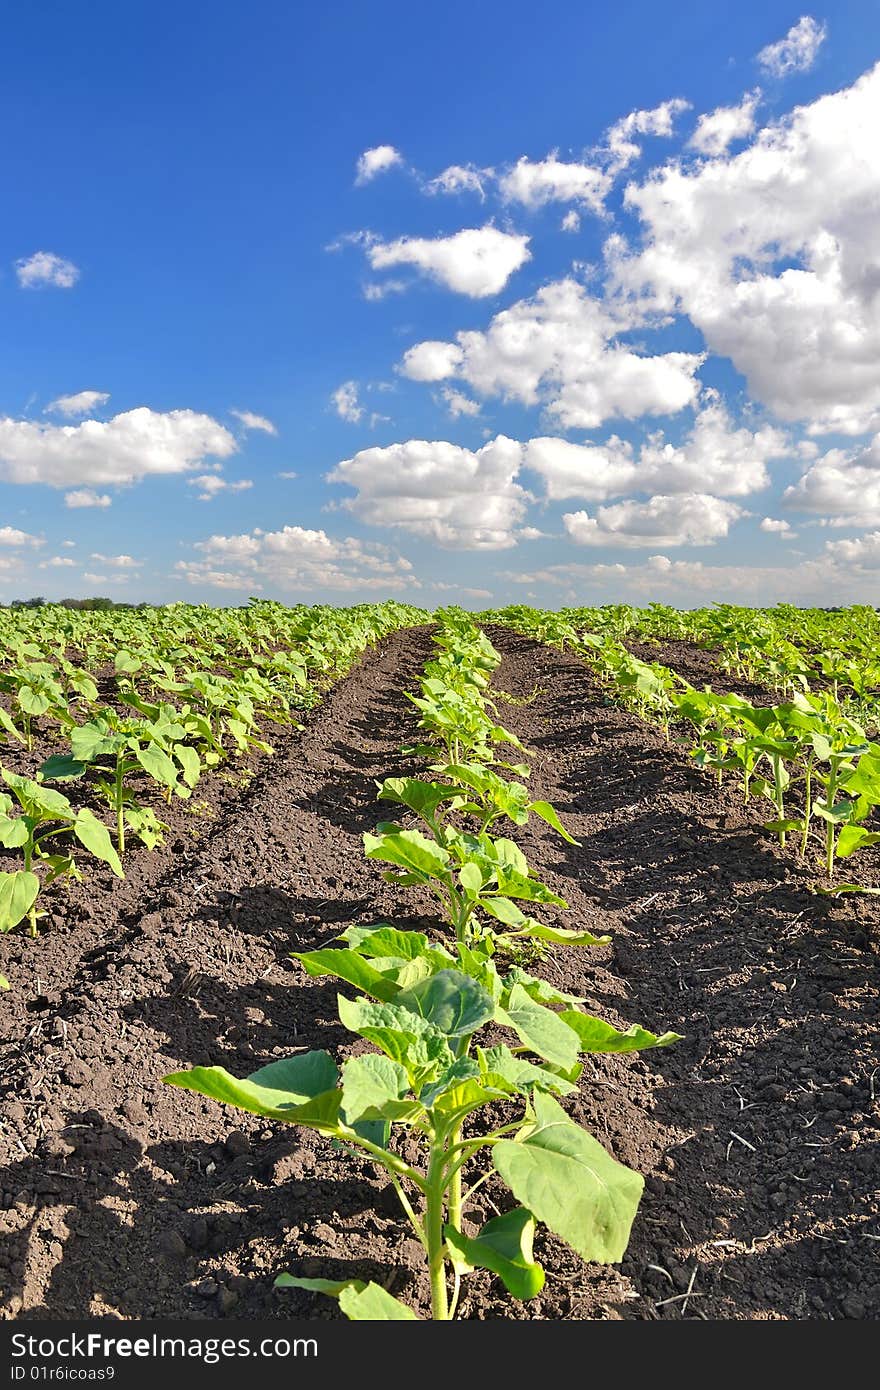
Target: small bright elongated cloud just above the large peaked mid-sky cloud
{"x": 476, "y": 262}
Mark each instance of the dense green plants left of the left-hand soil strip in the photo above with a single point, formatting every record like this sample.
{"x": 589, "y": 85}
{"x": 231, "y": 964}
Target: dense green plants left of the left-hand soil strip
{"x": 141, "y": 704}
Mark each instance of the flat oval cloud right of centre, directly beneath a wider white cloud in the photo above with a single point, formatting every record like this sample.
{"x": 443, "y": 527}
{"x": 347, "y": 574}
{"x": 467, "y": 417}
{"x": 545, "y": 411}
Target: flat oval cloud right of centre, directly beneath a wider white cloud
{"x": 689, "y": 519}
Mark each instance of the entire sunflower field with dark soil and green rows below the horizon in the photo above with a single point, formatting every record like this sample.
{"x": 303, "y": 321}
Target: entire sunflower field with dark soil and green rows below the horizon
{"x": 729, "y": 851}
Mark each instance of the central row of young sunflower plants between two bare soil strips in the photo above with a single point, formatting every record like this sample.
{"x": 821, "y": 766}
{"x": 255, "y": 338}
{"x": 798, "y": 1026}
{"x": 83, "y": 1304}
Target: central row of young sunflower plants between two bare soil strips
{"x": 472, "y": 1054}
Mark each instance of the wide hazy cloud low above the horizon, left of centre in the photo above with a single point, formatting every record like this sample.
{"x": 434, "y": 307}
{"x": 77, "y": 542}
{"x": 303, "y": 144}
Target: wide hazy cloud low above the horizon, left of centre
{"x": 297, "y": 559}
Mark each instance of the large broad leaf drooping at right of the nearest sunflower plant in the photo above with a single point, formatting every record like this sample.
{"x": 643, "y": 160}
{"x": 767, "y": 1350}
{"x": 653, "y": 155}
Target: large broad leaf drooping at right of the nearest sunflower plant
{"x": 569, "y": 1182}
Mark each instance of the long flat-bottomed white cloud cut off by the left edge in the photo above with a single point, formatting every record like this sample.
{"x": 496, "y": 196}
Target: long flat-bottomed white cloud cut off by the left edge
{"x": 124, "y": 450}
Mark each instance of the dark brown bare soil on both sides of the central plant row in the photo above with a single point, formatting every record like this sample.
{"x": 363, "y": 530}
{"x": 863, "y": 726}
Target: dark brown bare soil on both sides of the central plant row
{"x": 758, "y": 1134}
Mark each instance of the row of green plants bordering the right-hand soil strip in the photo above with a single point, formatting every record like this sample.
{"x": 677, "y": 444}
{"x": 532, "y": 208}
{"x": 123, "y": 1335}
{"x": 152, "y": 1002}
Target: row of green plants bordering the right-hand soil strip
{"x": 808, "y": 755}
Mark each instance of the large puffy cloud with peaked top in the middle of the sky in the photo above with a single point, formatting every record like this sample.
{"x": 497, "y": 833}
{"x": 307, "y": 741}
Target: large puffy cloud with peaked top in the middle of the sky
{"x": 558, "y": 350}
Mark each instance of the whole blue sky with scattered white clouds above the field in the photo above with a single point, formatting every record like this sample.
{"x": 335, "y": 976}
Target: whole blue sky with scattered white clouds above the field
{"x": 457, "y": 308}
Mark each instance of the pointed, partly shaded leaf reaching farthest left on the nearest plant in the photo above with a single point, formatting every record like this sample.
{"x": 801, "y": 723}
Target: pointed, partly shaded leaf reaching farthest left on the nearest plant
{"x": 279, "y": 1090}
